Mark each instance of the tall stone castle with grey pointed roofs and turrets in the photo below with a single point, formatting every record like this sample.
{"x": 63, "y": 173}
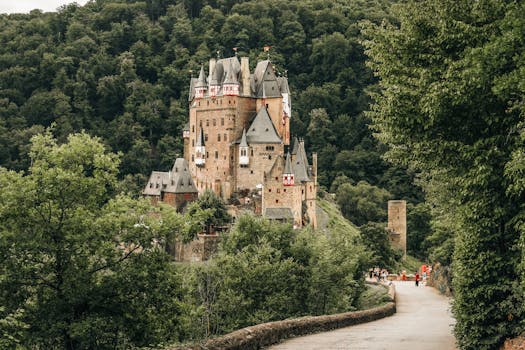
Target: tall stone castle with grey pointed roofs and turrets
{"x": 235, "y": 142}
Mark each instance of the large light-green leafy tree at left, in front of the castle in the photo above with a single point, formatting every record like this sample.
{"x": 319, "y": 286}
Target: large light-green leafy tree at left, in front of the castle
{"x": 76, "y": 260}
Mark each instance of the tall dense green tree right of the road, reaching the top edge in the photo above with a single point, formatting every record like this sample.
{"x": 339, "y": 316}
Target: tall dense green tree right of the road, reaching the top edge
{"x": 450, "y": 106}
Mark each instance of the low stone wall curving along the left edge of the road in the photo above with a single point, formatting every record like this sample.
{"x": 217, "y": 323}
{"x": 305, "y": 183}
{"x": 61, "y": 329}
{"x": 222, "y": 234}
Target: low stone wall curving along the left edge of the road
{"x": 265, "y": 334}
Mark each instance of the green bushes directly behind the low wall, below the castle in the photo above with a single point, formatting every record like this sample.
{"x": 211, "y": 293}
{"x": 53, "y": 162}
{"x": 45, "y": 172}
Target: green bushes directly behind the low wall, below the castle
{"x": 266, "y": 271}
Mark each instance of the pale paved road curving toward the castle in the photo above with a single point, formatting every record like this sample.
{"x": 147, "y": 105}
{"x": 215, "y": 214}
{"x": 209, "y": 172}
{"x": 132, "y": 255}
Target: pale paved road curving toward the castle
{"x": 423, "y": 321}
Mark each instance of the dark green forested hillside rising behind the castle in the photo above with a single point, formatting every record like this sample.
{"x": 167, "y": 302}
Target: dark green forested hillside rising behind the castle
{"x": 120, "y": 70}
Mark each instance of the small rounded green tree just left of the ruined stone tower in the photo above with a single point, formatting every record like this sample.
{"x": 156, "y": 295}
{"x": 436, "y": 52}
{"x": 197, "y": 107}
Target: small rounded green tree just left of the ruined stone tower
{"x": 363, "y": 202}
